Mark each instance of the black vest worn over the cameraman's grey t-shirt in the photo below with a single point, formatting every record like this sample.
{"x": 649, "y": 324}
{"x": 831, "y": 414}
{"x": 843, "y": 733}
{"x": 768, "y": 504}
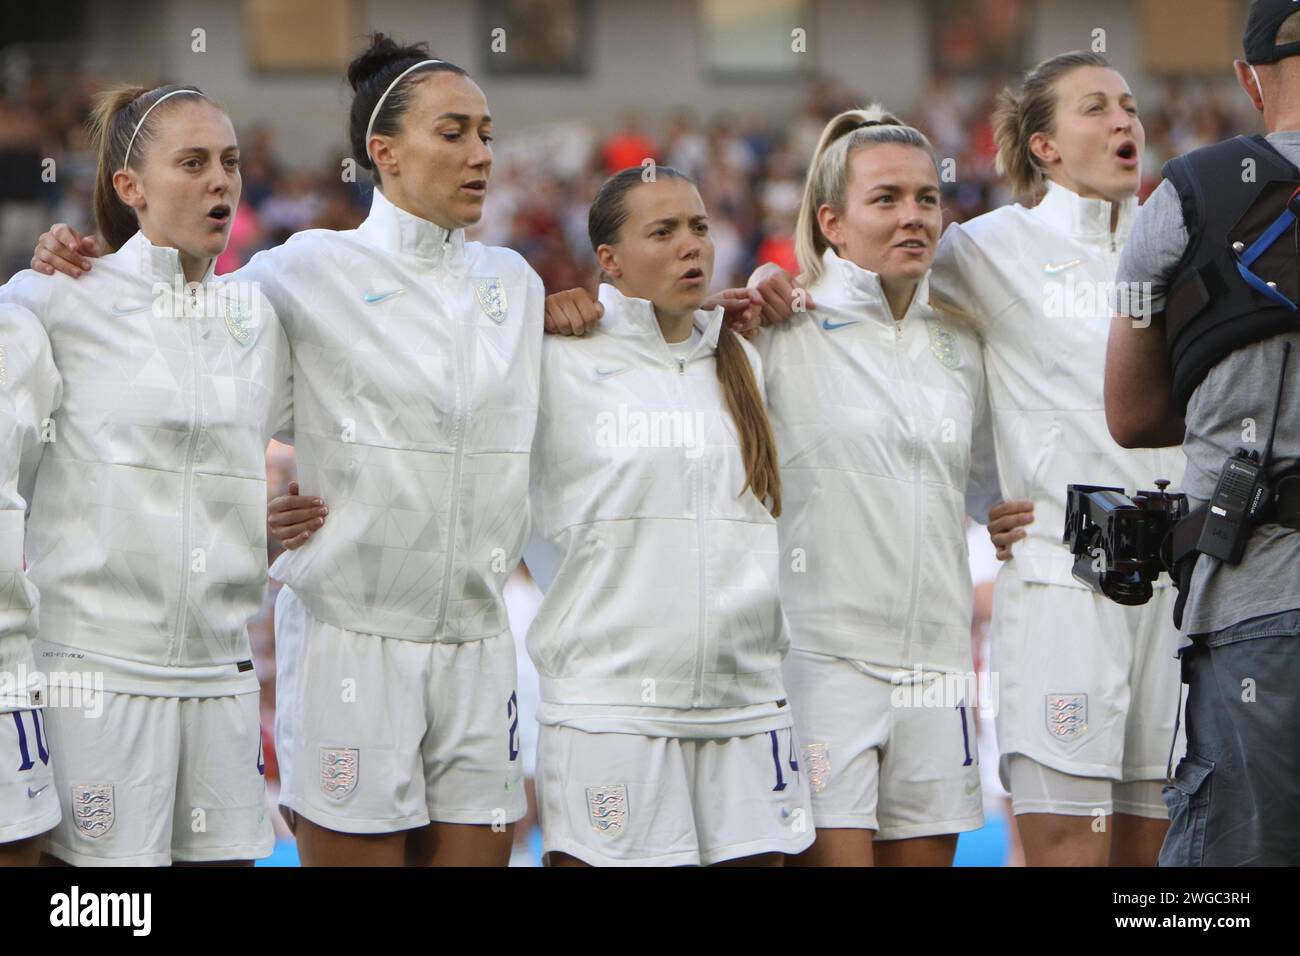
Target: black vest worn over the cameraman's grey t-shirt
{"x": 1211, "y": 309}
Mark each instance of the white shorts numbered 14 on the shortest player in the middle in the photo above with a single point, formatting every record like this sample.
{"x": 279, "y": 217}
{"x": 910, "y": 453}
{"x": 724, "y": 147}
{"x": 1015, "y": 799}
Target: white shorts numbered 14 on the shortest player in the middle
{"x": 630, "y": 801}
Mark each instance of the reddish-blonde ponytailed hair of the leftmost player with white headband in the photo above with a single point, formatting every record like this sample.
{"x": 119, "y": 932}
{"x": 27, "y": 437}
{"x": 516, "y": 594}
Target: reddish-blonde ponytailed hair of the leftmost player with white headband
{"x": 114, "y": 122}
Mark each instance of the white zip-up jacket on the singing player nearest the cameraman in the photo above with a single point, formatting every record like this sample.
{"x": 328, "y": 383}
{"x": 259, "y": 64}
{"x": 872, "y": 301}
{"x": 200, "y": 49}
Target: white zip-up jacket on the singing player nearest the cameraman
{"x": 1039, "y": 287}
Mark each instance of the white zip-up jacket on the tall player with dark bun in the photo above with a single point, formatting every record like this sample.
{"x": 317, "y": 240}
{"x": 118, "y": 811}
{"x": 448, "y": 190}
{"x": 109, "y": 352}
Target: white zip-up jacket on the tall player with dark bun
{"x": 415, "y": 377}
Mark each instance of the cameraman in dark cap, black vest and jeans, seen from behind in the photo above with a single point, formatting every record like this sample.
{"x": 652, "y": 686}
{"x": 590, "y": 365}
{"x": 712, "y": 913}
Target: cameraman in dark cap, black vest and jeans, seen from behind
{"x": 1236, "y": 798}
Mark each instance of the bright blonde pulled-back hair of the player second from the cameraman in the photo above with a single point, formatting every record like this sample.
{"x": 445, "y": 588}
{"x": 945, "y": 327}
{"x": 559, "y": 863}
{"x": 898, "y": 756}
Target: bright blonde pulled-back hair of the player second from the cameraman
{"x": 829, "y": 175}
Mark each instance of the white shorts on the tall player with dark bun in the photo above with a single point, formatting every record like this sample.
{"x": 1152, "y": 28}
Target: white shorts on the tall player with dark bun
{"x": 376, "y": 734}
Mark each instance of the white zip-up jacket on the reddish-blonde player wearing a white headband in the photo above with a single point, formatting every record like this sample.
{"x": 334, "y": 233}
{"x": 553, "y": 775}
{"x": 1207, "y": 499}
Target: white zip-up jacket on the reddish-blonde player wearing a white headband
{"x": 148, "y": 526}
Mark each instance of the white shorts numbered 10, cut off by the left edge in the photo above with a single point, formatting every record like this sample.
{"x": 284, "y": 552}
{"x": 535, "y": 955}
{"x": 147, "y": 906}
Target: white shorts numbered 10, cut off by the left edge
{"x": 29, "y": 804}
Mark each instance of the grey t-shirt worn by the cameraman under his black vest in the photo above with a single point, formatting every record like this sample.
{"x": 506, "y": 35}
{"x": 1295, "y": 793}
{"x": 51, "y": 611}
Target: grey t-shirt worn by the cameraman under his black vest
{"x": 1232, "y": 409}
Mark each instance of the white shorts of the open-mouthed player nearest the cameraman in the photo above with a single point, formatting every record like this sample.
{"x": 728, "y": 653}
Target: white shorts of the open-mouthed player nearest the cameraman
{"x": 1085, "y": 686}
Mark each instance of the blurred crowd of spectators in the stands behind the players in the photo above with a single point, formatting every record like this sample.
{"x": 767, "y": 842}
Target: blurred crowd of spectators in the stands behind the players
{"x": 749, "y": 170}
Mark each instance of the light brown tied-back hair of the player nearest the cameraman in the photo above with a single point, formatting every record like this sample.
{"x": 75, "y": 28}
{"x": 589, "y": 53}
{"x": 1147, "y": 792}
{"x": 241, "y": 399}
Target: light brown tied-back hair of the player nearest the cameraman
{"x": 1019, "y": 116}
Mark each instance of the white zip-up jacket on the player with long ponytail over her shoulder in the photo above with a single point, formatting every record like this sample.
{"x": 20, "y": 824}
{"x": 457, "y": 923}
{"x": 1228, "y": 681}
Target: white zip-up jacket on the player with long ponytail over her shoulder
{"x": 660, "y": 574}
